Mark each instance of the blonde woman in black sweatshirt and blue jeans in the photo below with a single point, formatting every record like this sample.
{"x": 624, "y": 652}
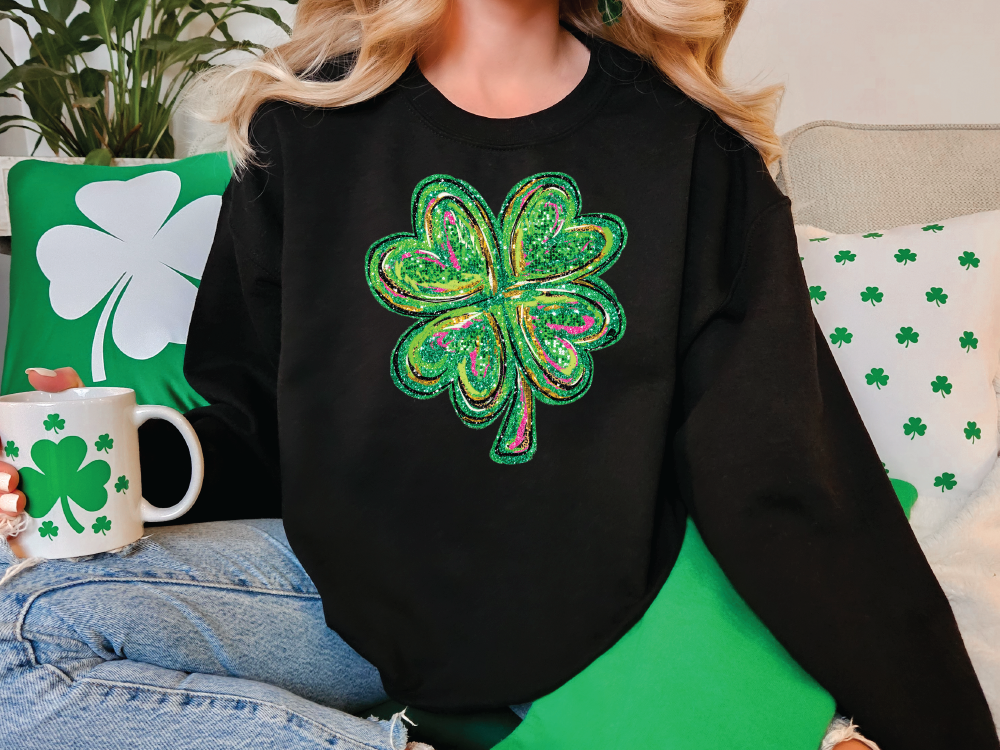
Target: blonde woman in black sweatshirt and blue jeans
{"x": 568, "y": 232}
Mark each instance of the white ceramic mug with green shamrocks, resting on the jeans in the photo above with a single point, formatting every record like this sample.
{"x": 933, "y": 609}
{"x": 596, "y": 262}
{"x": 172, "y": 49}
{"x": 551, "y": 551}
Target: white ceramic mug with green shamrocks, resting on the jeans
{"x": 78, "y": 456}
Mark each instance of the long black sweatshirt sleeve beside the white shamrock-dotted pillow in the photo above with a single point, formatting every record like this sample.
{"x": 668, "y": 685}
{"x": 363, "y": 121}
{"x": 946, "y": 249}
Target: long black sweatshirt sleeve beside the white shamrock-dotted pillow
{"x": 782, "y": 479}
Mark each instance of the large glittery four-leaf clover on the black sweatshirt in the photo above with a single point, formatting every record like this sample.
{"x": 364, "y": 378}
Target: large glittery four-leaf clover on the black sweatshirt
{"x": 508, "y": 307}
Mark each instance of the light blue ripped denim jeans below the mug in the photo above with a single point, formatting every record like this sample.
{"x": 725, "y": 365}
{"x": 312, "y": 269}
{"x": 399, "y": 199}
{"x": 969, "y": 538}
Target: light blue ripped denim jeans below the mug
{"x": 201, "y": 636}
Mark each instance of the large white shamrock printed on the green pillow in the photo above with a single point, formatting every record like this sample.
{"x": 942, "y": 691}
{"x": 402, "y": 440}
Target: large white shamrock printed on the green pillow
{"x": 145, "y": 261}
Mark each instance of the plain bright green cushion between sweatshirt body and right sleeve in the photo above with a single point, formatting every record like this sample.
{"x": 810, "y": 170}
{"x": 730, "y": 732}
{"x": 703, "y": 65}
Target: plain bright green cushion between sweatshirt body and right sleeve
{"x": 699, "y": 671}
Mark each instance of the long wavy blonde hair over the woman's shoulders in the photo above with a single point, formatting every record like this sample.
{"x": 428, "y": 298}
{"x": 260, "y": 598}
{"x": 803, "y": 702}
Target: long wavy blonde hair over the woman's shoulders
{"x": 685, "y": 39}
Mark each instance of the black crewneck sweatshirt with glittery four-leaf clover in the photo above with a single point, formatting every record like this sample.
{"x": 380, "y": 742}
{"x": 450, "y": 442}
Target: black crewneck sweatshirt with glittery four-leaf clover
{"x": 505, "y": 359}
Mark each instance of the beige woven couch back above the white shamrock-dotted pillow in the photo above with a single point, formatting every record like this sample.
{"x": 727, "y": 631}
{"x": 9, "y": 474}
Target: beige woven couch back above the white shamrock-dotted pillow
{"x": 851, "y": 178}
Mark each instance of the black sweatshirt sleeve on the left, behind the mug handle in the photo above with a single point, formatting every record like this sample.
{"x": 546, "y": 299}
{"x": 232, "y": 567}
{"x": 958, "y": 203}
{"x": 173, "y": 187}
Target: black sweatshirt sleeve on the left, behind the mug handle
{"x": 232, "y": 357}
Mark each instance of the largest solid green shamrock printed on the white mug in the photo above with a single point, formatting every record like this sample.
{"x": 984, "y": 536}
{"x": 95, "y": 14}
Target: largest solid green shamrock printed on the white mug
{"x": 60, "y": 478}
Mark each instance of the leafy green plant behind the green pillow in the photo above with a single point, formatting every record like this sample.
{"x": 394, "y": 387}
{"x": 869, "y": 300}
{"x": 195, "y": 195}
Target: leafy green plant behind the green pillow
{"x": 152, "y": 50}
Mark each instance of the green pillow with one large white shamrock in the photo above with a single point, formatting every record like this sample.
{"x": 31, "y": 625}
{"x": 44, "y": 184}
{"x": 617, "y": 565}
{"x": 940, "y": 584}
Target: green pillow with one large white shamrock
{"x": 105, "y": 266}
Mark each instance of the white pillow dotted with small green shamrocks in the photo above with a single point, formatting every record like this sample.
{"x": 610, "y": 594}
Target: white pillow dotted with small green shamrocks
{"x": 912, "y": 317}
